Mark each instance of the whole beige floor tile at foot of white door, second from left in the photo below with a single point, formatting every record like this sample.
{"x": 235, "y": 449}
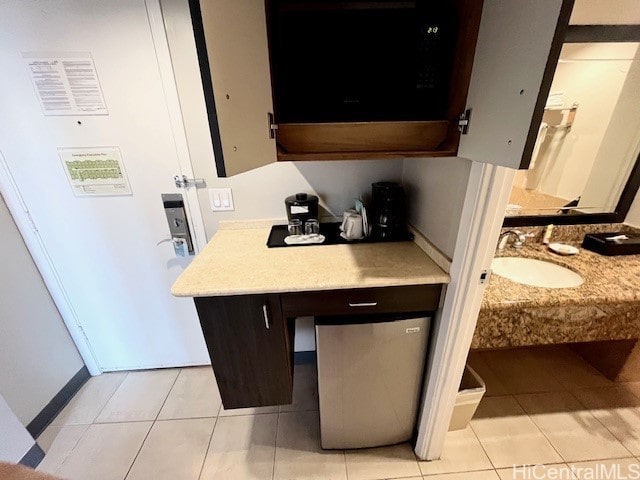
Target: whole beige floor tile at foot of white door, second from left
{"x": 139, "y": 397}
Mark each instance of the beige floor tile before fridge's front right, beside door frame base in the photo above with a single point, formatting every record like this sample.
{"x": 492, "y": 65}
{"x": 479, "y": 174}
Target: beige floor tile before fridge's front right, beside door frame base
{"x": 383, "y": 462}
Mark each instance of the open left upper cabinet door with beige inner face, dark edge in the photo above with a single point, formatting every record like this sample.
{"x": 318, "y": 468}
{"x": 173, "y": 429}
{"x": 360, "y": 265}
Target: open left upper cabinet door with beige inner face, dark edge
{"x": 231, "y": 37}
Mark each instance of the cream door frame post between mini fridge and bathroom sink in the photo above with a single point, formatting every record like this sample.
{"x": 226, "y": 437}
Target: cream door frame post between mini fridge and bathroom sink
{"x": 488, "y": 191}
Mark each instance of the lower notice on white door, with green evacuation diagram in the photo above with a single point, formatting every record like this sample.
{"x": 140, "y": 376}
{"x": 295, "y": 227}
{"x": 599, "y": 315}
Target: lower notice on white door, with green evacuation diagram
{"x": 95, "y": 171}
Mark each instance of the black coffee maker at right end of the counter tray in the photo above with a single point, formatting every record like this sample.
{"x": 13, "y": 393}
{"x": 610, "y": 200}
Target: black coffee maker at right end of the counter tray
{"x": 388, "y": 211}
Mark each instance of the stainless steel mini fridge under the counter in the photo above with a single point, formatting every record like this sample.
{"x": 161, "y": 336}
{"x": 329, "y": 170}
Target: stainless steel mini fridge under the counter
{"x": 370, "y": 373}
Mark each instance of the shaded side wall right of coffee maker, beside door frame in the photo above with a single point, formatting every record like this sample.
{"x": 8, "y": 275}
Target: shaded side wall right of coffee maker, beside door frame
{"x": 436, "y": 189}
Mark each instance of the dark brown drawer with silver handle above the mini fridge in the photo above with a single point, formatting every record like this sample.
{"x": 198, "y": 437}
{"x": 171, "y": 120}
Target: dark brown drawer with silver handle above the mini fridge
{"x": 414, "y": 298}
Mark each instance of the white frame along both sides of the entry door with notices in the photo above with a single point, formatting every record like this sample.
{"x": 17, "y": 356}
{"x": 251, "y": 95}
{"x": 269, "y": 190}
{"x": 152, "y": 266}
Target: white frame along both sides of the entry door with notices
{"x": 29, "y": 231}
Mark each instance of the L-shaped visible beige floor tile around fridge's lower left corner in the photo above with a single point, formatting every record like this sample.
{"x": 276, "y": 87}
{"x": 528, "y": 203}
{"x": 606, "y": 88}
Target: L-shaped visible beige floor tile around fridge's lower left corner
{"x": 298, "y": 452}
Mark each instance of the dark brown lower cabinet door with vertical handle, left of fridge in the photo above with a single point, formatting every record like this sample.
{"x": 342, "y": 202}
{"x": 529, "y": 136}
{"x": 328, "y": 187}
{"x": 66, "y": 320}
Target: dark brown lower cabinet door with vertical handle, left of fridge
{"x": 249, "y": 348}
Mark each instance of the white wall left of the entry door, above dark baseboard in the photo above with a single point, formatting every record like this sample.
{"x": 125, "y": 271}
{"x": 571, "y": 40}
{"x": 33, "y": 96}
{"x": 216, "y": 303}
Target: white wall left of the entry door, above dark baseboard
{"x": 37, "y": 355}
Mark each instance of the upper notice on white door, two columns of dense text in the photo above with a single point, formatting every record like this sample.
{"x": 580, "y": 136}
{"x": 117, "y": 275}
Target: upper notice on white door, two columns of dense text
{"x": 66, "y": 85}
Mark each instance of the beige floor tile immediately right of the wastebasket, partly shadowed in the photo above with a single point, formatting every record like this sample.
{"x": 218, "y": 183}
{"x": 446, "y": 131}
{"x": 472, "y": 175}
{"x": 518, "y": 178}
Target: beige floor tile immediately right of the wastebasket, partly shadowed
{"x": 509, "y": 436}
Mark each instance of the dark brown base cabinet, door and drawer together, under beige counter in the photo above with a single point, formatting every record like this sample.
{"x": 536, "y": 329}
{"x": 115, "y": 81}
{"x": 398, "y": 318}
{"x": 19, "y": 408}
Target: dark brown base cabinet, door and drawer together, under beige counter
{"x": 250, "y": 337}
